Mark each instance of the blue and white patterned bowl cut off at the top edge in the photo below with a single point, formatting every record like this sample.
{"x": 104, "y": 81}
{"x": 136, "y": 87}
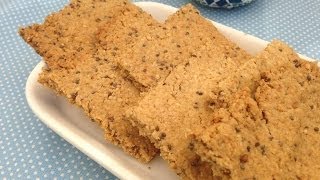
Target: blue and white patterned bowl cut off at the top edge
{"x": 224, "y": 3}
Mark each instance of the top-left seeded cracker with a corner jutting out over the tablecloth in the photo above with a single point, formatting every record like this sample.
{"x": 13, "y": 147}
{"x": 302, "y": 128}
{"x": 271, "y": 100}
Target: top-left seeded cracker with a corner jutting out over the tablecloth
{"x": 65, "y": 37}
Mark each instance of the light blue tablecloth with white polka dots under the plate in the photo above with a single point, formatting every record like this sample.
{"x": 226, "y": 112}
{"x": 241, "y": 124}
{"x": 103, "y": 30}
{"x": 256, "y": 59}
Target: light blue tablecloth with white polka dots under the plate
{"x": 29, "y": 150}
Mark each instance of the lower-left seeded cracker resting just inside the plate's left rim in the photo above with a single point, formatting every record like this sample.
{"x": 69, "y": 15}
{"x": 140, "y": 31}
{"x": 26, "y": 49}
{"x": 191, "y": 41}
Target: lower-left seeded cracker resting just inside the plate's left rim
{"x": 104, "y": 95}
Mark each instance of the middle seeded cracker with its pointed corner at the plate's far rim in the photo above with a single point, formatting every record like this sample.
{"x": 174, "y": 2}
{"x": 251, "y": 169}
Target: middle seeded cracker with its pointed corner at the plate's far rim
{"x": 148, "y": 52}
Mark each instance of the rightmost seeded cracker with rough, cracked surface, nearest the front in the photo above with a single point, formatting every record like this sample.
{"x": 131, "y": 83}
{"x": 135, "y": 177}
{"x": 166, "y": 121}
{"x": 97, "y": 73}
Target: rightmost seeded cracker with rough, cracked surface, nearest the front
{"x": 266, "y": 120}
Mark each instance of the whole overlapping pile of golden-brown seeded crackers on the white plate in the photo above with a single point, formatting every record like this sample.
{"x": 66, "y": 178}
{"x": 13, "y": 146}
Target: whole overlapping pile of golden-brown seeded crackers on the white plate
{"x": 181, "y": 88}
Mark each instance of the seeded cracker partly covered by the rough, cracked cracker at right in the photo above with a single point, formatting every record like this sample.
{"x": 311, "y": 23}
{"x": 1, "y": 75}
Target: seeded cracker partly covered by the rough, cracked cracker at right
{"x": 172, "y": 110}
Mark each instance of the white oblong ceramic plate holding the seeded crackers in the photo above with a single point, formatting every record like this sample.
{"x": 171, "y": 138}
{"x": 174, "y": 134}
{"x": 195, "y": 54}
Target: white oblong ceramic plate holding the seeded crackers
{"x": 70, "y": 122}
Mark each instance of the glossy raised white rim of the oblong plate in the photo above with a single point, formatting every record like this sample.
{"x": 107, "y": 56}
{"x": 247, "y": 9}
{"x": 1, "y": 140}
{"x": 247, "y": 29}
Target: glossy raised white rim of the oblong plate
{"x": 74, "y": 136}
